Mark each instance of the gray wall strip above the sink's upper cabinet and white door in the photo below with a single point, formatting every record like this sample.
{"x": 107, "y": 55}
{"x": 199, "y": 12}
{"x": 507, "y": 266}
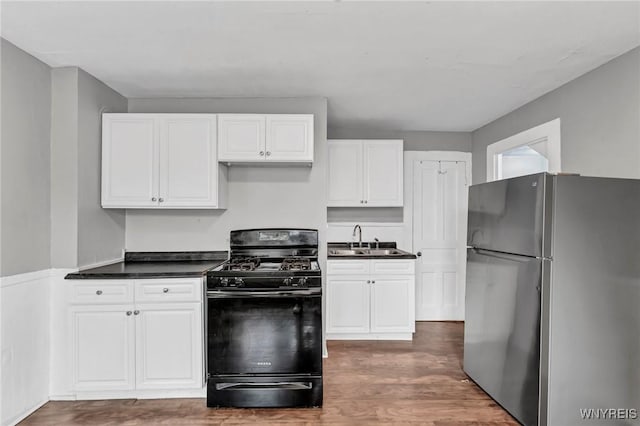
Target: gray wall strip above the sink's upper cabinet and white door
{"x": 413, "y": 141}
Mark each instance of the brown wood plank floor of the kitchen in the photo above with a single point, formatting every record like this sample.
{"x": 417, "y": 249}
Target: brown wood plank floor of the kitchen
{"x": 366, "y": 382}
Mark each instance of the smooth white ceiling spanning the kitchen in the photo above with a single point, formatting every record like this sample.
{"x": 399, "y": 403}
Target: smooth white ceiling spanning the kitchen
{"x": 403, "y": 66}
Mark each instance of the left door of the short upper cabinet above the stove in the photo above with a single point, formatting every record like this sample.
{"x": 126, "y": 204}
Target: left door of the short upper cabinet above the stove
{"x": 241, "y": 137}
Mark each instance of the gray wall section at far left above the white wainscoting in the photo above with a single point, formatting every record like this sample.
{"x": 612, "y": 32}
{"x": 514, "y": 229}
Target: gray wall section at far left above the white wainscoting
{"x": 24, "y": 174}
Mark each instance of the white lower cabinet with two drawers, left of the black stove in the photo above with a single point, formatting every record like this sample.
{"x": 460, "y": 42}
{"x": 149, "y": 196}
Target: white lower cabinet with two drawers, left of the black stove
{"x": 150, "y": 342}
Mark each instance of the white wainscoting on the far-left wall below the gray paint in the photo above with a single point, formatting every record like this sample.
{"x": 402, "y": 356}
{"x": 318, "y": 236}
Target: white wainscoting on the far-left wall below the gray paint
{"x": 24, "y": 344}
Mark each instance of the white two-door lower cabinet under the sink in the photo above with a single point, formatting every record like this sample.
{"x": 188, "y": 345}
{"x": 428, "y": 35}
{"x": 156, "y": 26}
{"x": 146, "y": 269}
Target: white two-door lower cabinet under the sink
{"x": 370, "y": 305}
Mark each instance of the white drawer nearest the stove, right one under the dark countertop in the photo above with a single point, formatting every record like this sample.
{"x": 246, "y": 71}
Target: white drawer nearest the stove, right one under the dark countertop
{"x": 169, "y": 290}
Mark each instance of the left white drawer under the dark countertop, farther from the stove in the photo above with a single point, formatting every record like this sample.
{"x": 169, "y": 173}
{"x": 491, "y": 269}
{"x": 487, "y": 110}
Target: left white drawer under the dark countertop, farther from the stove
{"x": 101, "y": 291}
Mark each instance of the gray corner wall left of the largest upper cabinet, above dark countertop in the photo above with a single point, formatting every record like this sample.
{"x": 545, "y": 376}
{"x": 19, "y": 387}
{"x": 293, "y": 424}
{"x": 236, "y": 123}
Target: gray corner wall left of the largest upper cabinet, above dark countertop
{"x": 82, "y": 233}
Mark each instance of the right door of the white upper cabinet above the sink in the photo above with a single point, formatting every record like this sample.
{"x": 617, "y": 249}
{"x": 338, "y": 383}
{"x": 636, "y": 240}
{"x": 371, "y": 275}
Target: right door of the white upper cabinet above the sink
{"x": 383, "y": 173}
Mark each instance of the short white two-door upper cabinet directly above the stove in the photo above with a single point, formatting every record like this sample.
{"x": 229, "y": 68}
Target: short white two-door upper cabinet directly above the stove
{"x": 276, "y": 138}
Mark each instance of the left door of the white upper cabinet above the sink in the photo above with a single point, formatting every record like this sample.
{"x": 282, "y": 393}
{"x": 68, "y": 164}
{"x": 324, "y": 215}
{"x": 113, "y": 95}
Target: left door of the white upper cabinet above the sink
{"x": 345, "y": 173}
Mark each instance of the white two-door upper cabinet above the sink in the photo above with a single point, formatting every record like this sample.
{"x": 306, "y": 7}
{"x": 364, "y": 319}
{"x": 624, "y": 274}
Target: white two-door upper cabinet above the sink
{"x": 365, "y": 173}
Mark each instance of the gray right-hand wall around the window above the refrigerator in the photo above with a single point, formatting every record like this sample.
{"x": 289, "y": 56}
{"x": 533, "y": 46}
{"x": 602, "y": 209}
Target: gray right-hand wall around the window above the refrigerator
{"x": 600, "y": 121}
